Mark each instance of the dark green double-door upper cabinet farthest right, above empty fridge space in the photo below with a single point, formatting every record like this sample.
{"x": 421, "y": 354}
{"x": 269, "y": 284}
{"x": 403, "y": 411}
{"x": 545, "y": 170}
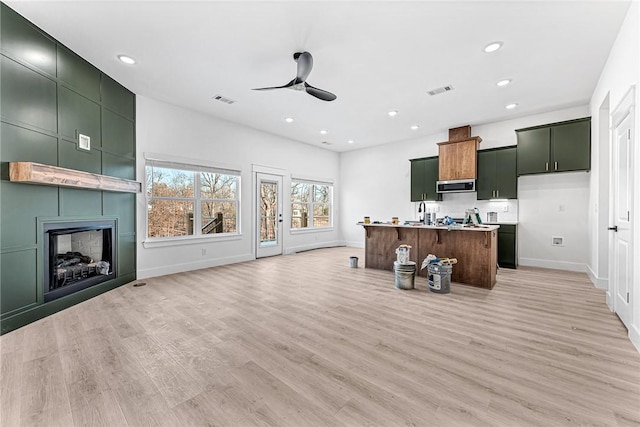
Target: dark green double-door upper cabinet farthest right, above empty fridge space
{"x": 555, "y": 147}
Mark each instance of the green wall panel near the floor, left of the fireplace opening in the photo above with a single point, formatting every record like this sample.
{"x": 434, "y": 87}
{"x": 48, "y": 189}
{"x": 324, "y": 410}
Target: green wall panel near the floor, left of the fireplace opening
{"x": 18, "y": 286}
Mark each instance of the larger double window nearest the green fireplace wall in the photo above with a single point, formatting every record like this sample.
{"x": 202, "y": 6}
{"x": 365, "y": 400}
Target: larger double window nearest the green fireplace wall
{"x": 191, "y": 200}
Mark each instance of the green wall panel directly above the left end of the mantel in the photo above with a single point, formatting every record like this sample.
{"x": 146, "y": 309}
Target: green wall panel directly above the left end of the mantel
{"x": 24, "y": 145}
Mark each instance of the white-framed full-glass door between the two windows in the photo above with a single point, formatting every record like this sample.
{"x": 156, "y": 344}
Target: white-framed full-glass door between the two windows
{"x": 268, "y": 215}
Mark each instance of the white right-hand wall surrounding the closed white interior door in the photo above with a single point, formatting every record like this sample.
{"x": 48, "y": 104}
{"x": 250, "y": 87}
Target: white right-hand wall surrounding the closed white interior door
{"x": 621, "y": 72}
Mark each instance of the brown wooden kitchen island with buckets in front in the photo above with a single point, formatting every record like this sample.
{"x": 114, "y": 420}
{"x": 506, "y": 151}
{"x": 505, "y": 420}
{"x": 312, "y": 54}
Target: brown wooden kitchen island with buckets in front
{"x": 476, "y": 249}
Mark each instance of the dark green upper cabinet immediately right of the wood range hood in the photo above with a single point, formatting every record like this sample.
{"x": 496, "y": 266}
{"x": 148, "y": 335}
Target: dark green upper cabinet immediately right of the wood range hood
{"x": 497, "y": 178}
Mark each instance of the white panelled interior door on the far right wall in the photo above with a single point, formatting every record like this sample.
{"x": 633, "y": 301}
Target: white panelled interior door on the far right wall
{"x": 622, "y": 274}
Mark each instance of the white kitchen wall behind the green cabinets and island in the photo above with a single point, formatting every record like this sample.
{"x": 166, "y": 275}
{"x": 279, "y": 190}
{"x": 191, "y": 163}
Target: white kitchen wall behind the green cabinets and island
{"x": 376, "y": 182}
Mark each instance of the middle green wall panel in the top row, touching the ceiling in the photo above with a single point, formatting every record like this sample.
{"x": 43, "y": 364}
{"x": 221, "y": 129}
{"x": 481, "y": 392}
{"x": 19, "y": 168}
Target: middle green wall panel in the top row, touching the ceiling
{"x": 78, "y": 73}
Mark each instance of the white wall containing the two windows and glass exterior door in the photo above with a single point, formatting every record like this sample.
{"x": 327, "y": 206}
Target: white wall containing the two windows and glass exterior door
{"x": 169, "y": 130}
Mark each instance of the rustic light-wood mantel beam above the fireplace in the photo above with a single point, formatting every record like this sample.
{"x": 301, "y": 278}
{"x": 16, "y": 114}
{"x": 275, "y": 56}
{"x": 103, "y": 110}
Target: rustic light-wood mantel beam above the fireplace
{"x": 38, "y": 173}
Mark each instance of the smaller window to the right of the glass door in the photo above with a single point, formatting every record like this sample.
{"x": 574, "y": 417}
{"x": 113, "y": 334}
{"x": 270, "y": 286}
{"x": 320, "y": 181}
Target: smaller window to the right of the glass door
{"x": 310, "y": 205}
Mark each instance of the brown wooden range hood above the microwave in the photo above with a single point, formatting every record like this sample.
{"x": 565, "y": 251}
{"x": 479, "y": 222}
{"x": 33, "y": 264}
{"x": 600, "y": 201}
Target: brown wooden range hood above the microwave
{"x": 457, "y": 158}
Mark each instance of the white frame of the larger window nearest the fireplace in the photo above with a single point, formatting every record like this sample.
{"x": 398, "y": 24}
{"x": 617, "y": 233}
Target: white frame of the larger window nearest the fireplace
{"x": 195, "y": 169}
